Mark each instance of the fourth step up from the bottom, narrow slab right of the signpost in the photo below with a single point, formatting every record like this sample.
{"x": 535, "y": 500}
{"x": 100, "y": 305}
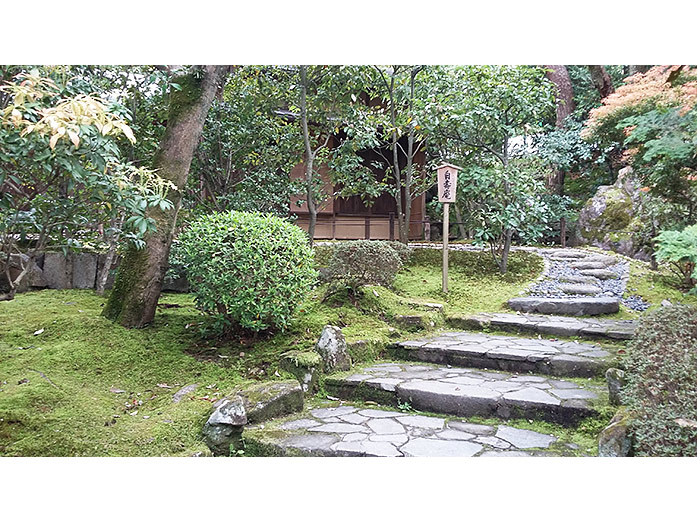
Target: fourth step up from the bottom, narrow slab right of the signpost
{"x": 555, "y": 325}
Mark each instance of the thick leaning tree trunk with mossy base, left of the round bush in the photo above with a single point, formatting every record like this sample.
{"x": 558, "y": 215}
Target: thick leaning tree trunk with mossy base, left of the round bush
{"x": 139, "y": 279}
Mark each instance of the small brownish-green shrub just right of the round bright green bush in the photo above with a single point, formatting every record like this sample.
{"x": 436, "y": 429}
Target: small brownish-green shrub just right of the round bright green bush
{"x": 363, "y": 262}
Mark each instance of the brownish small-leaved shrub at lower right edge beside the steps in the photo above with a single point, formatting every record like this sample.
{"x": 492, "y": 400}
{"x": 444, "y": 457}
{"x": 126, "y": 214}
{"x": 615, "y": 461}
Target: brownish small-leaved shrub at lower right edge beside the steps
{"x": 661, "y": 391}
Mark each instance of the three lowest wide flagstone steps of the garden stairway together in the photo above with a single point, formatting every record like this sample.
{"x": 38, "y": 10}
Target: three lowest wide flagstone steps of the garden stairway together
{"x": 449, "y": 378}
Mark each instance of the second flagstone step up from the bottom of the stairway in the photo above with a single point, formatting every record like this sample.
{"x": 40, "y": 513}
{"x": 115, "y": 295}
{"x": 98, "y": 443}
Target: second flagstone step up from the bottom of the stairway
{"x": 466, "y": 392}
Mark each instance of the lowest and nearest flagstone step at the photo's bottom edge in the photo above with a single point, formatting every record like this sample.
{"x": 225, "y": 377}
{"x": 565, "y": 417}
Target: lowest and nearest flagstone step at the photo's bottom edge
{"x": 348, "y": 430}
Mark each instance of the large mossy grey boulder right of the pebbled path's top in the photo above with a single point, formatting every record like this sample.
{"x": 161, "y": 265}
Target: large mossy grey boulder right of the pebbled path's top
{"x": 612, "y": 219}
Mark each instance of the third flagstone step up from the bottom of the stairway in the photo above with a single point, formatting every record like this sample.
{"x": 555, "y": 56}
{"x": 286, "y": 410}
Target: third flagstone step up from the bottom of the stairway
{"x": 508, "y": 353}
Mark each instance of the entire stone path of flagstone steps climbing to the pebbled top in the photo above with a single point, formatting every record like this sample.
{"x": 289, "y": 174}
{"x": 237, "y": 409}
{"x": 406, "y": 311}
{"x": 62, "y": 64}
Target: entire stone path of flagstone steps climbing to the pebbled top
{"x": 452, "y": 377}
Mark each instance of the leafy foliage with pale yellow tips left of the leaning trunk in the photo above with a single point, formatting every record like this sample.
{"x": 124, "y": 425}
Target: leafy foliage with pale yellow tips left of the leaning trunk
{"x": 64, "y": 181}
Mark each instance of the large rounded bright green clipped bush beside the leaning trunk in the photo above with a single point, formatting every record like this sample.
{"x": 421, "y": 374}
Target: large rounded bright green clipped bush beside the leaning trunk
{"x": 248, "y": 270}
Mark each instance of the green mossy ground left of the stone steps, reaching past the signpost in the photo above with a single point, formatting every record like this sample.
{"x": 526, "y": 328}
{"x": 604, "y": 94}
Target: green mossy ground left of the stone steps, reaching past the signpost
{"x": 88, "y": 357}
